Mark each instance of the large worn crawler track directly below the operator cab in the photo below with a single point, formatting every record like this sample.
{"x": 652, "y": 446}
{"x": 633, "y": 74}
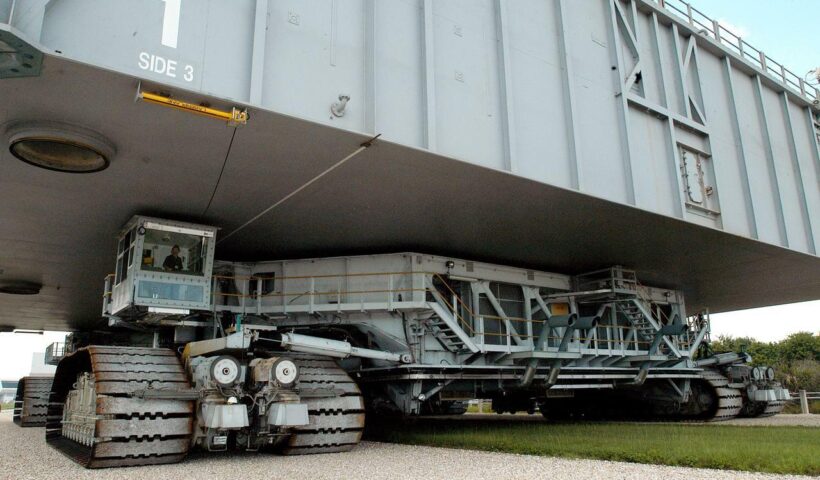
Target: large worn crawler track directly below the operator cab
{"x": 127, "y": 430}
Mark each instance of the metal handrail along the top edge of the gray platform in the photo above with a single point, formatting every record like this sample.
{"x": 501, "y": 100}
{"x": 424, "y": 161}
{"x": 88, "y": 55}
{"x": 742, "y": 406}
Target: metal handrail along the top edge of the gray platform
{"x": 735, "y": 44}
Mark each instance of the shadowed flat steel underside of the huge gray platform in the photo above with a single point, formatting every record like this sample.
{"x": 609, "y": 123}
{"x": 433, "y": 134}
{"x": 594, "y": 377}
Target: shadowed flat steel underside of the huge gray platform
{"x": 59, "y": 229}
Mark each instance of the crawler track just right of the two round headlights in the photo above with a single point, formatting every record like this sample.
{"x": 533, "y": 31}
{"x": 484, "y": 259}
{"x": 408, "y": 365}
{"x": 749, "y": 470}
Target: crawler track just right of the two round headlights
{"x": 335, "y": 408}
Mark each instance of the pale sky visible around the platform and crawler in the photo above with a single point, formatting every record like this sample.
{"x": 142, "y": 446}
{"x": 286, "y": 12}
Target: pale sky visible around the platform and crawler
{"x": 786, "y": 30}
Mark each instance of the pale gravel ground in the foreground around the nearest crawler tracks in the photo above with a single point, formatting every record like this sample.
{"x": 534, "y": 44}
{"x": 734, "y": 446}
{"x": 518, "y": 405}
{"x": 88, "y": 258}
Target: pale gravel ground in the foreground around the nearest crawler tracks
{"x": 25, "y": 455}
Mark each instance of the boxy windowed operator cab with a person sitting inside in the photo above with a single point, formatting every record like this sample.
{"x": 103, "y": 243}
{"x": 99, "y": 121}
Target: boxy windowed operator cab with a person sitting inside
{"x": 150, "y": 278}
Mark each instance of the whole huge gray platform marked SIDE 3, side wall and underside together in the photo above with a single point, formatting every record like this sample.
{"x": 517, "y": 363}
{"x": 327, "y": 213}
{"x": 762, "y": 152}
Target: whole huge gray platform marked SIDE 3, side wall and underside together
{"x": 591, "y": 181}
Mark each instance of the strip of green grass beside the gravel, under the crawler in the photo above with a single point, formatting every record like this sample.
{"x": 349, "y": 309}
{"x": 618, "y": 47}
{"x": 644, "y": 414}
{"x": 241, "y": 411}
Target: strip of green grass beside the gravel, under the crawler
{"x": 794, "y": 450}
